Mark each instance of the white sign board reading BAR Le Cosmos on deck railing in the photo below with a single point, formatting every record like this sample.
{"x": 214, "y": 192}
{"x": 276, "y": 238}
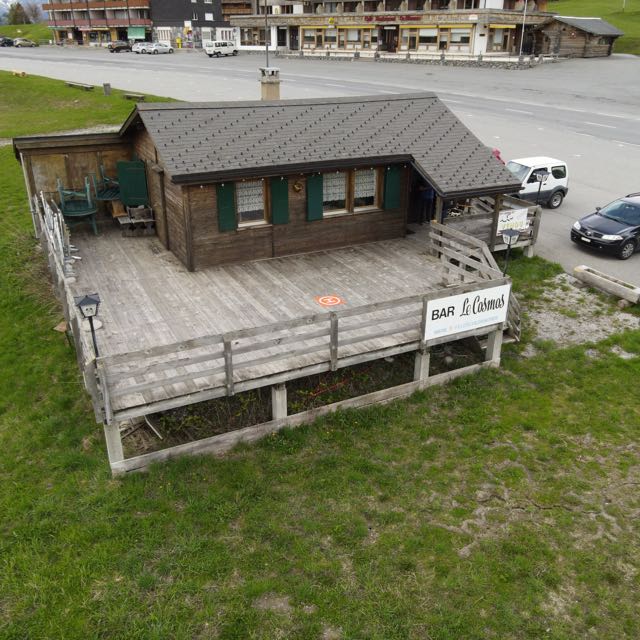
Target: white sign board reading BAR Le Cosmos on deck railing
{"x": 466, "y": 311}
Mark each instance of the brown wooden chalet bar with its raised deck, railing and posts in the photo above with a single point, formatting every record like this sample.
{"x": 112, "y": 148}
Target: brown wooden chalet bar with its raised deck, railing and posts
{"x": 267, "y": 241}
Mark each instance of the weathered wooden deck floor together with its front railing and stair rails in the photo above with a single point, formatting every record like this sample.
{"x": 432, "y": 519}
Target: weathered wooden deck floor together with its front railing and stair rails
{"x": 171, "y": 337}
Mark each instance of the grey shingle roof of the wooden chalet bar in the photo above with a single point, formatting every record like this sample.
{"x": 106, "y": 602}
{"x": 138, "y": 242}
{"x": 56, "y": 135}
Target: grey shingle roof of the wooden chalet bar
{"x": 216, "y": 141}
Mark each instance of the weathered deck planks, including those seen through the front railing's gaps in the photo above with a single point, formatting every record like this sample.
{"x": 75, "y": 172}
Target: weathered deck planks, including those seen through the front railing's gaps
{"x": 149, "y": 299}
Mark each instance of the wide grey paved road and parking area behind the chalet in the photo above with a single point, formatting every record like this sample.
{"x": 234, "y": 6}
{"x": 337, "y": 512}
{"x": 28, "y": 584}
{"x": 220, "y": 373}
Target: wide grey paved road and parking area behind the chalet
{"x": 583, "y": 111}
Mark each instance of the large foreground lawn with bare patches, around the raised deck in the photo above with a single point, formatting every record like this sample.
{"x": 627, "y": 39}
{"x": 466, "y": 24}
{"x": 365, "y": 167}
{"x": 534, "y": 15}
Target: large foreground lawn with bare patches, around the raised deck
{"x": 504, "y": 505}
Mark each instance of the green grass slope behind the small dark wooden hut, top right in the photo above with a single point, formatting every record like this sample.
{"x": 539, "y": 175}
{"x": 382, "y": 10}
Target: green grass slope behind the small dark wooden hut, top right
{"x": 611, "y": 11}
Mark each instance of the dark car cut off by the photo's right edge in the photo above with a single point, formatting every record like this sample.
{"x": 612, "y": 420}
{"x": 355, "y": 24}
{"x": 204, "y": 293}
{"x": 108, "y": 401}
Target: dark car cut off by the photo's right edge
{"x": 614, "y": 229}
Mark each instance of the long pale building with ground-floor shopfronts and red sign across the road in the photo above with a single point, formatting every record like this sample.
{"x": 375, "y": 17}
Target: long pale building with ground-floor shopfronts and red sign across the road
{"x": 473, "y": 27}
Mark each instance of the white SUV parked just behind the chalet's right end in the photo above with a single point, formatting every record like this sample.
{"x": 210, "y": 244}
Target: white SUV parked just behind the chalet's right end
{"x": 553, "y": 186}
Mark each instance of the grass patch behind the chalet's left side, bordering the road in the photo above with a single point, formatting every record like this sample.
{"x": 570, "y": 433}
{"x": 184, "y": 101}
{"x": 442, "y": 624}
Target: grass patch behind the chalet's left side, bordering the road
{"x": 22, "y": 112}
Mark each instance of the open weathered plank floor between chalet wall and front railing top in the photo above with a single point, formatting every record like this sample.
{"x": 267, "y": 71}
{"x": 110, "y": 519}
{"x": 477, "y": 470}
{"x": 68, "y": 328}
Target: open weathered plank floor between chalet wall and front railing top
{"x": 149, "y": 298}
